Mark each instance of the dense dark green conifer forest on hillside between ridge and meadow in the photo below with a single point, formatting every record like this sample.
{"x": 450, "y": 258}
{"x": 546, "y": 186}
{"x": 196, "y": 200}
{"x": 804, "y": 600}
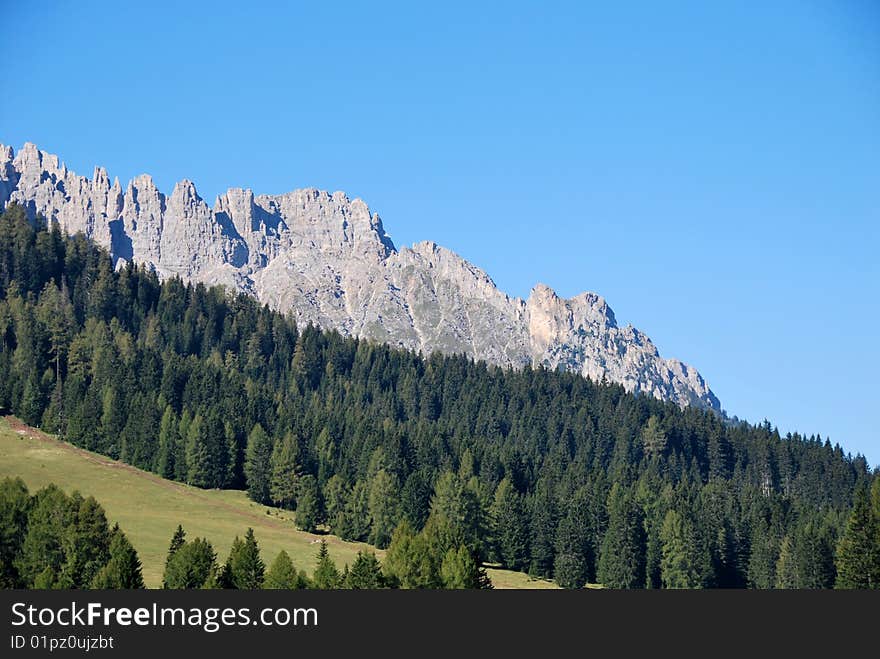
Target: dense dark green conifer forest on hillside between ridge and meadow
{"x": 540, "y": 471}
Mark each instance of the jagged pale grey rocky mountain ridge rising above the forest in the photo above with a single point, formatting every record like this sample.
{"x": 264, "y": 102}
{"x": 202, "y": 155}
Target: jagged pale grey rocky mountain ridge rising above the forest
{"x": 327, "y": 260}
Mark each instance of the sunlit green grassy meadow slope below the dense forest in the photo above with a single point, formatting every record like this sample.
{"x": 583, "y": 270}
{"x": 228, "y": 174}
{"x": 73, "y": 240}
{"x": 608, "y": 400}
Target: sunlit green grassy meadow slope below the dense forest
{"x": 149, "y": 508}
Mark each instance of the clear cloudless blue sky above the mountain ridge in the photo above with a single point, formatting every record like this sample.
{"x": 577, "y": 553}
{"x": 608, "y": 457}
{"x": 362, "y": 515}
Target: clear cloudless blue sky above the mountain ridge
{"x": 712, "y": 169}
